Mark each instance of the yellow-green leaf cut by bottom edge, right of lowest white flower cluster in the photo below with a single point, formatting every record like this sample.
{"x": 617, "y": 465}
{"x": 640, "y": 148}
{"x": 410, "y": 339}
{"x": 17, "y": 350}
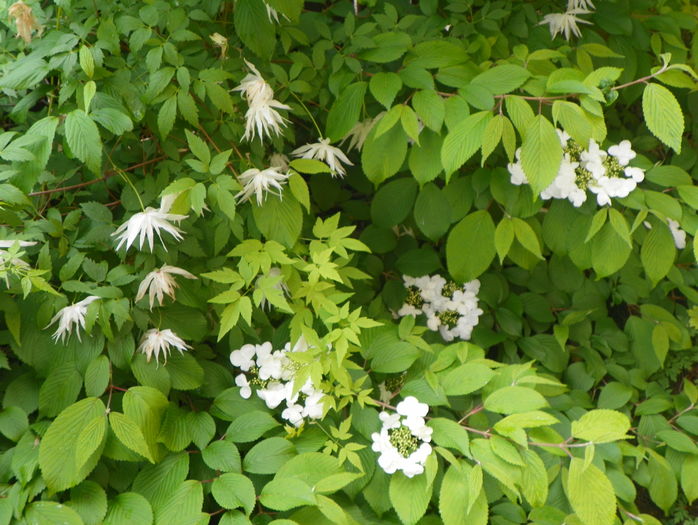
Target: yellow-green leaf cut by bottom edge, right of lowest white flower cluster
{"x": 457, "y": 504}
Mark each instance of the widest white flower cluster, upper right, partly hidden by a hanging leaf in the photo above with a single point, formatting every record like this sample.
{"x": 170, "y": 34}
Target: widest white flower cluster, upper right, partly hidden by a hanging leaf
{"x": 604, "y": 173}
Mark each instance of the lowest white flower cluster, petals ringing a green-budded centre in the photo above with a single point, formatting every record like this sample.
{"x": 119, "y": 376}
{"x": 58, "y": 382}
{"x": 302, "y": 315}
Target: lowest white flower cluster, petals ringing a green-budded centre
{"x": 403, "y": 441}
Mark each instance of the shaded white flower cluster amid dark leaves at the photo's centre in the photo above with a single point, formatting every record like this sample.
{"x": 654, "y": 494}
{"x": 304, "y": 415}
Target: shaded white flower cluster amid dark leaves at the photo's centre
{"x": 450, "y": 309}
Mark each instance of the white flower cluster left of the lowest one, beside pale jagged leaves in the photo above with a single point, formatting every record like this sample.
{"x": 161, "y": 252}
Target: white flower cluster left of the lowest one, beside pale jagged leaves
{"x": 271, "y": 373}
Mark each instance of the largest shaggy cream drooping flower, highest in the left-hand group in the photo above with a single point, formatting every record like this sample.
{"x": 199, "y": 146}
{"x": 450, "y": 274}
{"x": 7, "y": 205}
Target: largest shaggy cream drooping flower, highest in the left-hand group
{"x": 261, "y": 116}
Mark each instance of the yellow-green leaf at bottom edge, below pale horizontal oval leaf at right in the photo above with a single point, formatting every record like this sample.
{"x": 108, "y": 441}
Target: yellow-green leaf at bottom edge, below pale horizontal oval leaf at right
{"x": 590, "y": 493}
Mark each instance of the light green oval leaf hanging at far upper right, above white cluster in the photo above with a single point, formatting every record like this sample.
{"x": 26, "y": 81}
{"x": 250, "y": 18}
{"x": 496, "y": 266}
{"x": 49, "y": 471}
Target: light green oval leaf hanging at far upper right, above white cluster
{"x": 663, "y": 115}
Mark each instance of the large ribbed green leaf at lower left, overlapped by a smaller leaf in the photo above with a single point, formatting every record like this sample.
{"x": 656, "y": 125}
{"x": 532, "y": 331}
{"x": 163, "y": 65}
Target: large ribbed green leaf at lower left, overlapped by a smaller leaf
{"x": 58, "y": 449}
